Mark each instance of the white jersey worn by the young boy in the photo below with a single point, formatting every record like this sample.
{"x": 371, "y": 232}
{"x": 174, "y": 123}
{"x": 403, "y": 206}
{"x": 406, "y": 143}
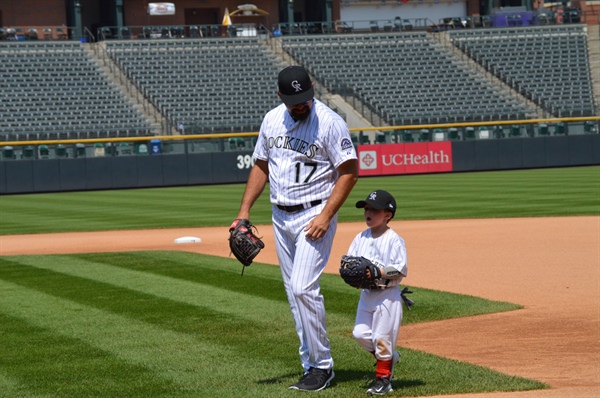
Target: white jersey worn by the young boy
{"x": 387, "y": 250}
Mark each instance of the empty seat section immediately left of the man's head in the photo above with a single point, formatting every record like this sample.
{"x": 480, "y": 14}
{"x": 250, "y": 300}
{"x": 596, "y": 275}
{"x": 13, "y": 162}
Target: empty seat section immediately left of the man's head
{"x": 203, "y": 86}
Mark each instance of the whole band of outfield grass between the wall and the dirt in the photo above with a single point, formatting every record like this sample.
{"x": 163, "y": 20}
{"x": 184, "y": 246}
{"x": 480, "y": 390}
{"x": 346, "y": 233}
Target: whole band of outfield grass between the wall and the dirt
{"x": 517, "y": 193}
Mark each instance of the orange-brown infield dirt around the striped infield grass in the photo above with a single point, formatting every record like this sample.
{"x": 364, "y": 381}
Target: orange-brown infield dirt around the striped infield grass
{"x": 551, "y": 266}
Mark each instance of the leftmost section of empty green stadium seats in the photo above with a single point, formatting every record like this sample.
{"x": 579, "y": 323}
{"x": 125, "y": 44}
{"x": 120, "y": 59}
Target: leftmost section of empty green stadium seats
{"x": 55, "y": 90}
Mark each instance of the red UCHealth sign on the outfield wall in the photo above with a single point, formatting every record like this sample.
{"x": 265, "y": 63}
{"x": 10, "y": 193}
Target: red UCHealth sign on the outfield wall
{"x": 392, "y": 159}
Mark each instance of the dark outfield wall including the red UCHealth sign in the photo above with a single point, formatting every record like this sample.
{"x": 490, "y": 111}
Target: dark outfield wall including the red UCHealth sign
{"x": 183, "y": 163}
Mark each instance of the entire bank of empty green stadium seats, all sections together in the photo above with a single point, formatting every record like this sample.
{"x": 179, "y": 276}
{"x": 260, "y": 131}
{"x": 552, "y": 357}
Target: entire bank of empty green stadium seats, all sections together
{"x": 53, "y": 89}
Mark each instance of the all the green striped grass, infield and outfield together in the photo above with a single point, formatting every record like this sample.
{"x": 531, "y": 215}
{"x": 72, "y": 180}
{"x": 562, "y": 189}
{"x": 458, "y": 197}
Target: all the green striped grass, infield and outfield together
{"x": 172, "y": 324}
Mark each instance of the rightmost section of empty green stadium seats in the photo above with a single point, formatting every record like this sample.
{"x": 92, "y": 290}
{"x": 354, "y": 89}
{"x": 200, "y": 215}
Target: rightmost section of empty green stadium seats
{"x": 547, "y": 64}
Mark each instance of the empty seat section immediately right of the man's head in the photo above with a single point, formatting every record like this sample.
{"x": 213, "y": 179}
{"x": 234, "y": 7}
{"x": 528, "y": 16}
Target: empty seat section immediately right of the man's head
{"x": 405, "y": 77}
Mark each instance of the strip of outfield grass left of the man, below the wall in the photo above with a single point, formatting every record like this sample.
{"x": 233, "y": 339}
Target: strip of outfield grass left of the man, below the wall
{"x": 102, "y": 210}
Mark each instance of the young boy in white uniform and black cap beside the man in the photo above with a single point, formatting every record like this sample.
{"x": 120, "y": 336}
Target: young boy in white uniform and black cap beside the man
{"x": 379, "y": 312}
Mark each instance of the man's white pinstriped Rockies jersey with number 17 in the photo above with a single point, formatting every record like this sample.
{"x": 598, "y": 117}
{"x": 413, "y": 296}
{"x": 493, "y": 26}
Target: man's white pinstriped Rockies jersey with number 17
{"x": 303, "y": 156}
